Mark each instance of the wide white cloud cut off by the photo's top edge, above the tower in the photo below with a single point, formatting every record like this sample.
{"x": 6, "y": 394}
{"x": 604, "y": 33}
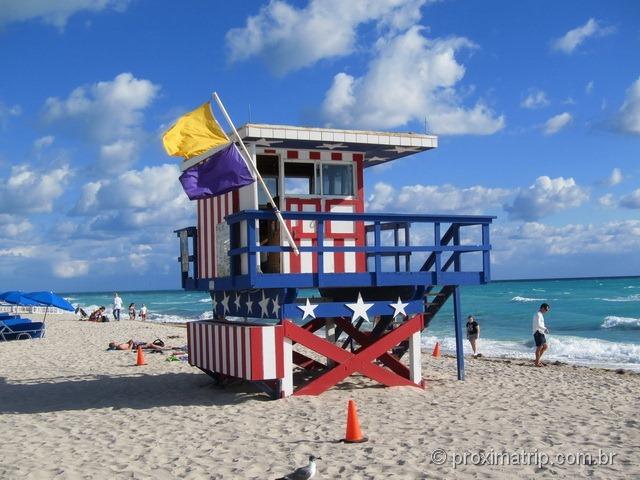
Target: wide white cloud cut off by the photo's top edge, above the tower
{"x": 287, "y": 38}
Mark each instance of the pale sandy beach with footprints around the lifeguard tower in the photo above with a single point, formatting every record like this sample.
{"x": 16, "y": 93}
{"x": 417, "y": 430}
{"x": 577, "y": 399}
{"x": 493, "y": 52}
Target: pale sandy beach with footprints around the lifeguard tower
{"x": 71, "y": 409}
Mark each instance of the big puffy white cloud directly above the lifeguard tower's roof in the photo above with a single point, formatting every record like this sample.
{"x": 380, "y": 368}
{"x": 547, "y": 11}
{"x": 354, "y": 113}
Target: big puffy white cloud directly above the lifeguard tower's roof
{"x": 411, "y": 77}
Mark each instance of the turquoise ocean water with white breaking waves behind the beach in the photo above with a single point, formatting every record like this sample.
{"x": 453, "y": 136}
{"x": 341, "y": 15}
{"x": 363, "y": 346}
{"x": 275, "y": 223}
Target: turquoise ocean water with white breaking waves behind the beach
{"x": 591, "y": 322}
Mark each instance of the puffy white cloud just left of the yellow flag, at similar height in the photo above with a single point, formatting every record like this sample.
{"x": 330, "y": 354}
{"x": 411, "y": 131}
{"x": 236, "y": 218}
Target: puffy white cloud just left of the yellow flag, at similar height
{"x": 104, "y": 112}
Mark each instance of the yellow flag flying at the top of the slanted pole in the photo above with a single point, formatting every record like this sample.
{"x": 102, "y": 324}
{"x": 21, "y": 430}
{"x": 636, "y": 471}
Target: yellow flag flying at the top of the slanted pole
{"x": 194, "y": 133}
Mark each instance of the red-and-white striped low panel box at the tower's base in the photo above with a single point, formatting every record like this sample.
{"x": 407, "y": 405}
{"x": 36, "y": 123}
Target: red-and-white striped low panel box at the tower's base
{"x": 243, "y": 351}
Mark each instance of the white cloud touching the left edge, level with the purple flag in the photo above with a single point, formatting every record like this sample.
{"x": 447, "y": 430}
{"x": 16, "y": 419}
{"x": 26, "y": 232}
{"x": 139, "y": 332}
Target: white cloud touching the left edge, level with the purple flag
{"x": 28, "y": 190}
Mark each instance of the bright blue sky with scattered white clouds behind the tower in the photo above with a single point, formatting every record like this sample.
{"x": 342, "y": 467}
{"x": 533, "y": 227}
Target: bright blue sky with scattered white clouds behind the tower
{"x": 536, "y": 104}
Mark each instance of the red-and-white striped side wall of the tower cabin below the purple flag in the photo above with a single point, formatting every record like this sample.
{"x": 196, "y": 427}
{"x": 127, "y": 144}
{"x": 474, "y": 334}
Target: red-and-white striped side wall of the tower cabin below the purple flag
{"x": 211, "y": 212}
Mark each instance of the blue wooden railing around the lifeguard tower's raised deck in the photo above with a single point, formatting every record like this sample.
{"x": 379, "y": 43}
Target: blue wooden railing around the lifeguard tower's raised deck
{"x": 444, "y": 252}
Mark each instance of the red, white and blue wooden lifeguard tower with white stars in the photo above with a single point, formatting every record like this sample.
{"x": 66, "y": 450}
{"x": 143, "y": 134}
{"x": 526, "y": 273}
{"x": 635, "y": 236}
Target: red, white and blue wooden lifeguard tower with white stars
{"x": 363, "y": 287}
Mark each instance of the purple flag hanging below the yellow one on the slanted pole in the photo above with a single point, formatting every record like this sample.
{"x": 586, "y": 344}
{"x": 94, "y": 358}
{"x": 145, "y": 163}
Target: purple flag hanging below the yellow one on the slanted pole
{"x": 220, "y": 173}
